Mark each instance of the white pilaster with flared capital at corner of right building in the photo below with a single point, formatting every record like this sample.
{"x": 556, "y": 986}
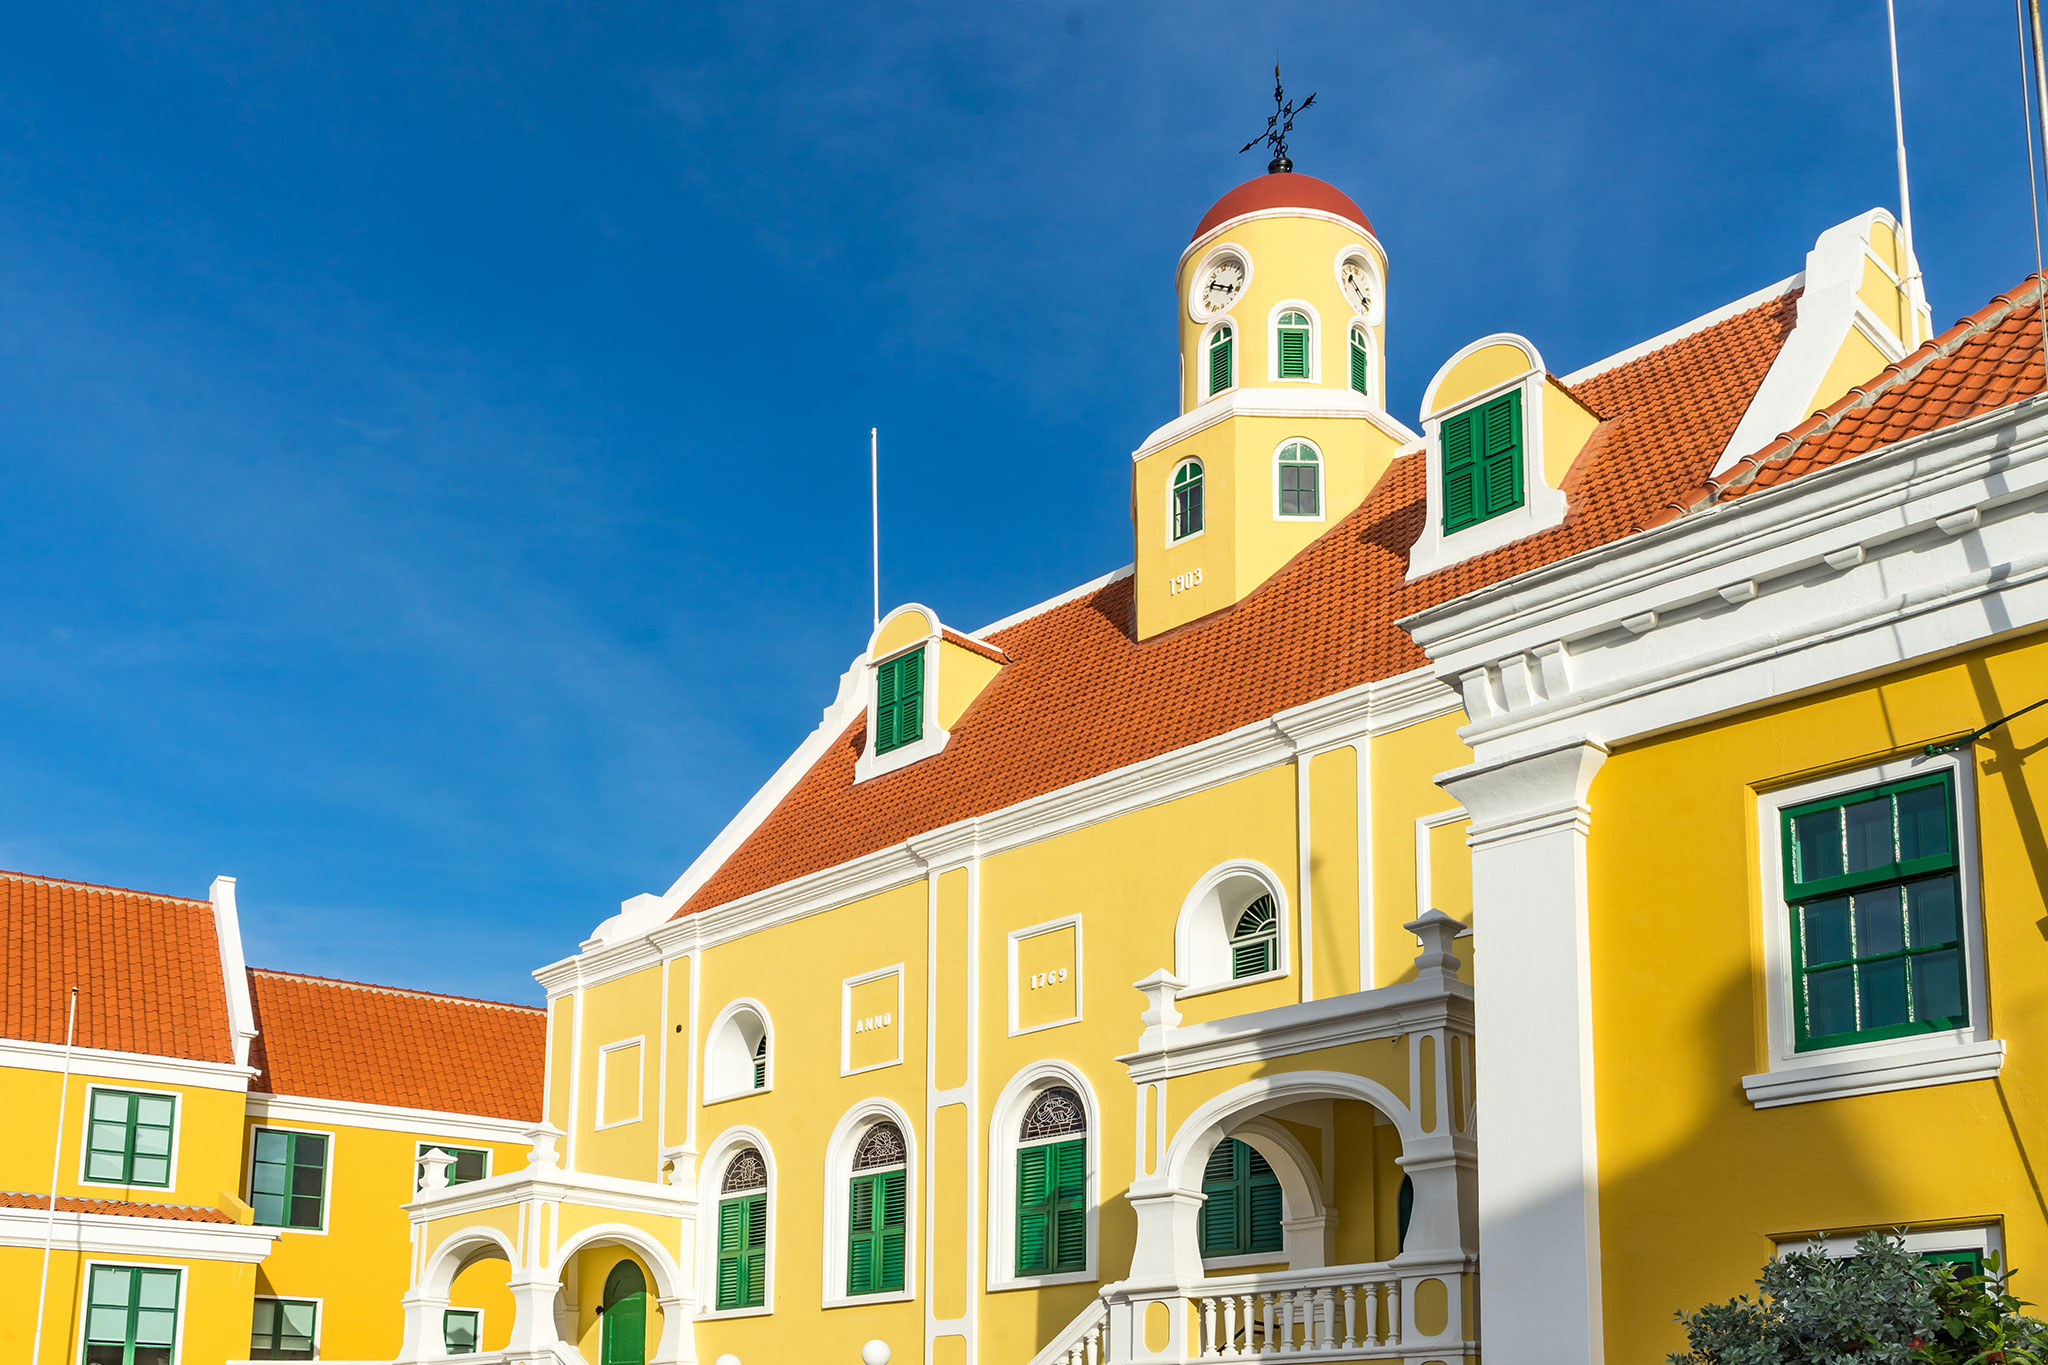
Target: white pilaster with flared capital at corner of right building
{"x": 1539, "y": 1196}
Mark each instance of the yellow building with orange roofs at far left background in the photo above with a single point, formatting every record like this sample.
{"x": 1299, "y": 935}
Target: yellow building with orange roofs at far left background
{"x": 232, "y": 1149}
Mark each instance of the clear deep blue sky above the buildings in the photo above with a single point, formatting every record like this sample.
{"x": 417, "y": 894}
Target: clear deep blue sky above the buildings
{"x": 433, "y": 437}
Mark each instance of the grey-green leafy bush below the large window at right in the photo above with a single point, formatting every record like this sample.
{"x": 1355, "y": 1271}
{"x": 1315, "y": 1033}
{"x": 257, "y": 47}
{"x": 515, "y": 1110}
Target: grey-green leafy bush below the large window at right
{"x": 1881, "y": 1307}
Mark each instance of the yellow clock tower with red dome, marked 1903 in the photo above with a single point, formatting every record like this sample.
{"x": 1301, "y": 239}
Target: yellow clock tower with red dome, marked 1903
{"x": 1283, "y": 398}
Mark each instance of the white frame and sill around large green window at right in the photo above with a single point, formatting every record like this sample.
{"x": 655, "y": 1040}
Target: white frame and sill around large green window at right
{"x": 1891, "y": 1063}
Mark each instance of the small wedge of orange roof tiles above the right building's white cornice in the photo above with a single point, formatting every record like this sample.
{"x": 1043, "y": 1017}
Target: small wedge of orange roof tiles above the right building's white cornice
{"x": 1986, "y": 361}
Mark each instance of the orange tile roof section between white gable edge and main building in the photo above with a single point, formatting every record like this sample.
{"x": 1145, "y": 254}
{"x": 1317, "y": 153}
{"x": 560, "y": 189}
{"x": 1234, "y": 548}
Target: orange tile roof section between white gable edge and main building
{"x": 380, "y": 1047}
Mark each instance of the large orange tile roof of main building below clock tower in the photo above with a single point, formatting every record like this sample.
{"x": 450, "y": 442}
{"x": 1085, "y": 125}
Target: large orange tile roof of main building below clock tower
{"x": 1082, "y": 697}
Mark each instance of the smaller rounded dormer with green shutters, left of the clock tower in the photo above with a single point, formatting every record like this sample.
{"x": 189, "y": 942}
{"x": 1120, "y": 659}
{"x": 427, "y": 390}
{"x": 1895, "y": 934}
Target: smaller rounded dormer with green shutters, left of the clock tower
{"x": 921, "y": 680}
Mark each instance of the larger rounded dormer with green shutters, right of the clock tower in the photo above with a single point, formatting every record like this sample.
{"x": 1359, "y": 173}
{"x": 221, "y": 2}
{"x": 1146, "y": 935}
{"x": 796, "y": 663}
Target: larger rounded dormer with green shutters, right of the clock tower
{"x": 1498, "y": 437}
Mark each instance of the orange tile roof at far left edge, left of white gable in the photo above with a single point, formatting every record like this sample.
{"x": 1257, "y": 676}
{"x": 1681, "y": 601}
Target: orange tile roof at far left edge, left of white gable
{"x": 148, "y": 969}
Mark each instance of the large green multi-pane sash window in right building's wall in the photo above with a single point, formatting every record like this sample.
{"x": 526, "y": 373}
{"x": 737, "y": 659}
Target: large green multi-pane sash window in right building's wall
{"x": 1877, "y": 914}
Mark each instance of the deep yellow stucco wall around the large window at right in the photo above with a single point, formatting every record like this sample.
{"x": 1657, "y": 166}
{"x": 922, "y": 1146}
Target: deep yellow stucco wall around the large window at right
{"x": 1676, "y": 865}
